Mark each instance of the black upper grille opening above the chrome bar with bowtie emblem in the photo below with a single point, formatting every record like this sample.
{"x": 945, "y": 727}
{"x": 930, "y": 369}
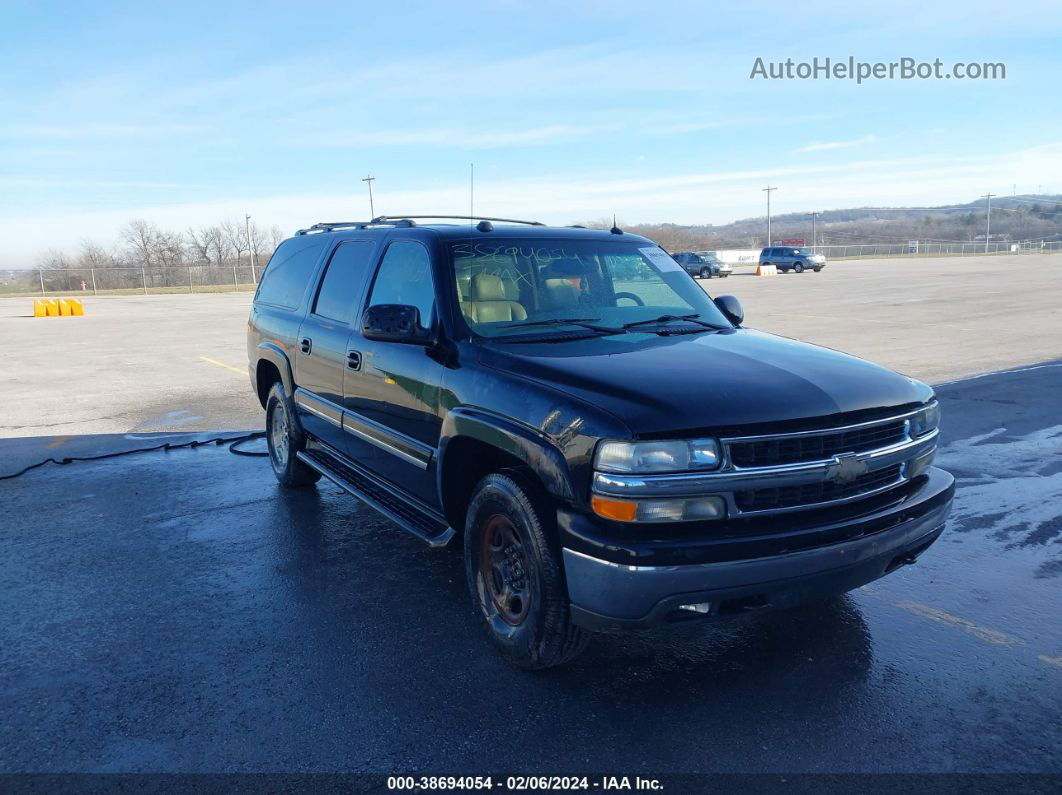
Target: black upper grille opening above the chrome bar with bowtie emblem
{"x": 799, "y": 450}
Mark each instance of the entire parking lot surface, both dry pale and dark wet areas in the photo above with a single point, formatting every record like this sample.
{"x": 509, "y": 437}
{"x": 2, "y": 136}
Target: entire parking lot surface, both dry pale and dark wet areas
{"x": 176, "y": 612}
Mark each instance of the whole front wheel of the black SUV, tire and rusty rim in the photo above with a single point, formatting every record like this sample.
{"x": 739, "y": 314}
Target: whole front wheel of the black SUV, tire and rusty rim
{"x": 516, "y": 578}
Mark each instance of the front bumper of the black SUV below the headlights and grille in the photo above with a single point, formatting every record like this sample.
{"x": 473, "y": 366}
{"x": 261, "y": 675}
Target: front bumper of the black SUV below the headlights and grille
{"x": 607, "y": 595}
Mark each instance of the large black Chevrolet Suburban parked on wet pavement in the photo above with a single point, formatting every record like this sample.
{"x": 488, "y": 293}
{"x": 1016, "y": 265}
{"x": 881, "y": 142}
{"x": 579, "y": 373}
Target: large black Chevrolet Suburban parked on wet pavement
{"x": 612, "y": 447}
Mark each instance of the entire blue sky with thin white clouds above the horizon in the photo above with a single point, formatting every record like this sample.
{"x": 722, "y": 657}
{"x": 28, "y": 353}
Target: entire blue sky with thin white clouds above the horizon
{"x": 190, "y": 113}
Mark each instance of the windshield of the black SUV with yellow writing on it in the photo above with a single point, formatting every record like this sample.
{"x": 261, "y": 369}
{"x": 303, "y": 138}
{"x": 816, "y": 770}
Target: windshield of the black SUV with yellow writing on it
{"x": 505, "y": 285}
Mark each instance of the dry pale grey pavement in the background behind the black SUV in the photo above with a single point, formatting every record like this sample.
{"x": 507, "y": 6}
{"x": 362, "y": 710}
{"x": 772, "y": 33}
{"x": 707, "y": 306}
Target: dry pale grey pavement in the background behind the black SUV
{"x": 179, "y": 362}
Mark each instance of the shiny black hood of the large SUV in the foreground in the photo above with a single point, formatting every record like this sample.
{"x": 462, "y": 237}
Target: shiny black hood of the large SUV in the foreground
{"x": 659, "y": 385}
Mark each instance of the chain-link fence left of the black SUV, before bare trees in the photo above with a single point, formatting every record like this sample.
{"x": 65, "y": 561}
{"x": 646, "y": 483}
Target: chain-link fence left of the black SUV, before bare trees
{"x": 130, "y": 281}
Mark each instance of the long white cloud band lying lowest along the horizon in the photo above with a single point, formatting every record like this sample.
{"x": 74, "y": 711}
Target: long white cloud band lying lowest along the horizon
{"x": 714, "y": 197}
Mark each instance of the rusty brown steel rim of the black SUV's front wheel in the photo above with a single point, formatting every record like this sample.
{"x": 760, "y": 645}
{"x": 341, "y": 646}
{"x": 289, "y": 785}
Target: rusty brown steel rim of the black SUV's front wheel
{"x": 504, "y": 571}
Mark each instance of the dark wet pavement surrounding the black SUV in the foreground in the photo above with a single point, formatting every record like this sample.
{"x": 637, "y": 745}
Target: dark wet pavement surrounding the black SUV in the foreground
{"x": 178, "y": 612}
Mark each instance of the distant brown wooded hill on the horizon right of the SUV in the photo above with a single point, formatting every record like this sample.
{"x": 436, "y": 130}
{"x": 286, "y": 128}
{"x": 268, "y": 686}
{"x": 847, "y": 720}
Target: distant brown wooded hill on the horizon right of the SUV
{"x": 1014, "y": 218}
